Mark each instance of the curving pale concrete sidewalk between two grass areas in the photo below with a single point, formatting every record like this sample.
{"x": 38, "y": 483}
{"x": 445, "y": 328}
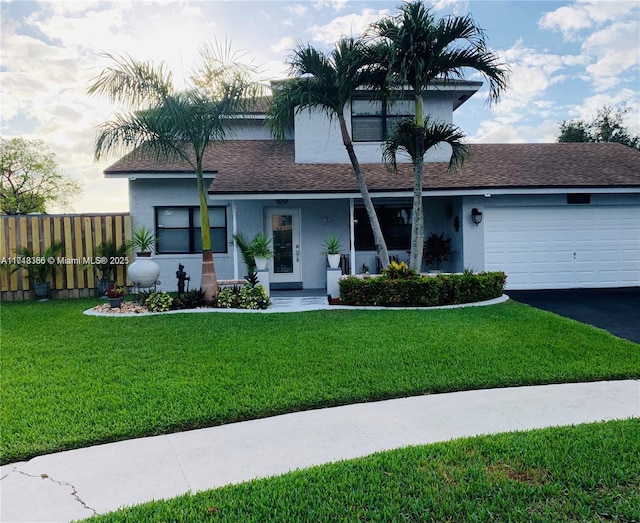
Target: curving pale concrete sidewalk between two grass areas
{"x": 80, "y": 483}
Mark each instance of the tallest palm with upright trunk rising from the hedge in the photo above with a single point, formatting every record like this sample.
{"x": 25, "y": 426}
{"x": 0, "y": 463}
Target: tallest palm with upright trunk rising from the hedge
{"x": 420, "y": 49}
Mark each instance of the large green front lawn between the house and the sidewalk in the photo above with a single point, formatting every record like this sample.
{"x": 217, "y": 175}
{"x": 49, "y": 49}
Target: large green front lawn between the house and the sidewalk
{"x": 70, "y": 380}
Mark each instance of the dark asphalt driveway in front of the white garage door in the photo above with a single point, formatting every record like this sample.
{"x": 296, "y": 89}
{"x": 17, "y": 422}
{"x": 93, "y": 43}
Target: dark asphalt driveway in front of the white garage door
{"x": 614, "y": 310}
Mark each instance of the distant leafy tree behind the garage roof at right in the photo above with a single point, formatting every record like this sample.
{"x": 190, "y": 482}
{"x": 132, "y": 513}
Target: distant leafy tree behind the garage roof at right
{"x": 606, "y": 126}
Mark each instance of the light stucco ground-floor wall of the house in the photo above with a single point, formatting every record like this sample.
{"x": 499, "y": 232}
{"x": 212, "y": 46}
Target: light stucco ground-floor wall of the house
{"x": 322, "y": 217}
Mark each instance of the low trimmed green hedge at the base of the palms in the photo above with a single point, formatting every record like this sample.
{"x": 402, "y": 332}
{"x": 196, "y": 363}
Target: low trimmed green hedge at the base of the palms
{"x": 422, "y": 291}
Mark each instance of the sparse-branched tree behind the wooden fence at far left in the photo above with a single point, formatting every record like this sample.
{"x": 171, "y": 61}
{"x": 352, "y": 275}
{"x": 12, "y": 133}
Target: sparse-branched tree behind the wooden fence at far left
{"x": 31, "y": 179}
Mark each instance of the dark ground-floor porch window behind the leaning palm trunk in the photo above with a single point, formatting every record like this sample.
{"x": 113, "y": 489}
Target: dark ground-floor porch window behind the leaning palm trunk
{"x": 395, "y": 222}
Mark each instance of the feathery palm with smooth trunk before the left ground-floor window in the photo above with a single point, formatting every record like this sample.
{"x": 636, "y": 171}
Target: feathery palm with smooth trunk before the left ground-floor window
{"x": 169, "y": 124}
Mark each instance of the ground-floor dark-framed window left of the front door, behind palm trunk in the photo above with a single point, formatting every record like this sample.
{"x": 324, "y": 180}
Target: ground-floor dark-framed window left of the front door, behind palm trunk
{"x": 178, "y": 229}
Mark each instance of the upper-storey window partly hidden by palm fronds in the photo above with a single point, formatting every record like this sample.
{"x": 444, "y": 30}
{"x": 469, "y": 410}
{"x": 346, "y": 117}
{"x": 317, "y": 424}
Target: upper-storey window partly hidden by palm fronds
{"x": 372, "y": 120}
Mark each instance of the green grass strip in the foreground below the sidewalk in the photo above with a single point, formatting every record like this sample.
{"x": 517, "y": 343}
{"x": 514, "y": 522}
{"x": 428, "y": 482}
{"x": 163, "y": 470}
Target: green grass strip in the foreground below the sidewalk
{"x": 586, "y": 473}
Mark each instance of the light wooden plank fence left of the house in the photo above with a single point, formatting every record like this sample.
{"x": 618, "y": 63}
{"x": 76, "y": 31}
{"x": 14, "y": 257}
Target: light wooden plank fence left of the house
{"x": 75, "y": 275}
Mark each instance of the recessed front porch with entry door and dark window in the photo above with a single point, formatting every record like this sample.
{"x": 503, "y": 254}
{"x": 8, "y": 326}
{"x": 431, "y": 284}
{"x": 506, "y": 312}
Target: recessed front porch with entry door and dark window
{"x": 297, "y": 228}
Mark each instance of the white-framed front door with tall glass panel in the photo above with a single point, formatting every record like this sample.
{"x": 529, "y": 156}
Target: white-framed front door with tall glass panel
{"x": 283, "y": 228}
